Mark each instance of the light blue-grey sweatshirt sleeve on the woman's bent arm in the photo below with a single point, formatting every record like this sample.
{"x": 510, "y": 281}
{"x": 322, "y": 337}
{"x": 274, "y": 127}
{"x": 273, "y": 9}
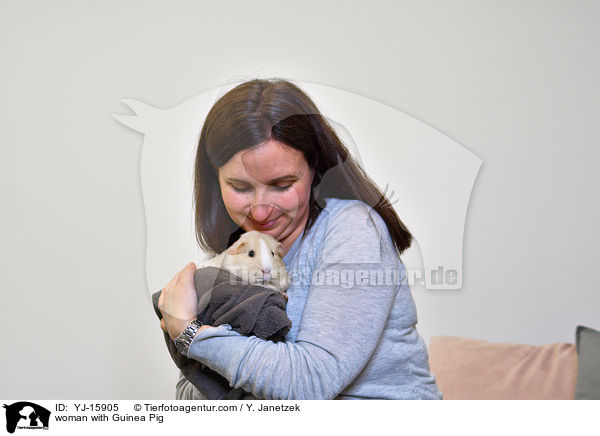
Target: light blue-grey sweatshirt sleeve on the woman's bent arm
{"x": 342, "y": 322}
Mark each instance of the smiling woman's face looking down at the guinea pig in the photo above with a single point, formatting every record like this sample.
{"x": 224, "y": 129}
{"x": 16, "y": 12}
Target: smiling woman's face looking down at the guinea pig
{"x": 267, "y": 188}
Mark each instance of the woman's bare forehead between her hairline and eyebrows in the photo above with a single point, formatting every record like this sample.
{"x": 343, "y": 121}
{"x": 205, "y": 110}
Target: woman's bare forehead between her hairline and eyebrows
{"x": 265, "y": 162}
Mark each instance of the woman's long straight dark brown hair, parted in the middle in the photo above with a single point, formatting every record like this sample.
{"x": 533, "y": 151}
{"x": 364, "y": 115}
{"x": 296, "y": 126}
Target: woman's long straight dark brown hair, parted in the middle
{"x": 275, "y": 109}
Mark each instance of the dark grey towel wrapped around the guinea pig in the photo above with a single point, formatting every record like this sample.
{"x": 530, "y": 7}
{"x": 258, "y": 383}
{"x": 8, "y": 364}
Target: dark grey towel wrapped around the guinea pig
{"x": 248, "y": 309}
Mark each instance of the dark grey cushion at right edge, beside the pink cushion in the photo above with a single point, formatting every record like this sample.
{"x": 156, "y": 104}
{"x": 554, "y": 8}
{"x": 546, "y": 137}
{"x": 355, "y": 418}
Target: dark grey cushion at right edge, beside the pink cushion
{"x": 588, "y": 351}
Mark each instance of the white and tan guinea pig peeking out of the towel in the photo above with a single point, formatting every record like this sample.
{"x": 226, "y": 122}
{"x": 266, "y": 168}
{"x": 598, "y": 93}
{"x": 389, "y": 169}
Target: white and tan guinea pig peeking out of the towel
{"x": 256, "y": 258}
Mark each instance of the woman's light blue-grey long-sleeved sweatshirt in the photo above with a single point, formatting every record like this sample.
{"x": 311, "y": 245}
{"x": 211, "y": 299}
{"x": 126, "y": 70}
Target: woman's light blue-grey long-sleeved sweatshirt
{"x": 353, "y": 332}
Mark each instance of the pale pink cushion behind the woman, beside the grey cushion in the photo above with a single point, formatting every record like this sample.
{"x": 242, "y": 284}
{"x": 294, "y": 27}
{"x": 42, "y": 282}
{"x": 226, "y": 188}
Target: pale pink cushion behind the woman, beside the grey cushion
{"x": 473, "y": 369}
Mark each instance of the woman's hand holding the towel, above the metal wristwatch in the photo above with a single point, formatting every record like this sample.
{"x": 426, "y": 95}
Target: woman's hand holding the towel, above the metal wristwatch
{"x": 178, "y": 302}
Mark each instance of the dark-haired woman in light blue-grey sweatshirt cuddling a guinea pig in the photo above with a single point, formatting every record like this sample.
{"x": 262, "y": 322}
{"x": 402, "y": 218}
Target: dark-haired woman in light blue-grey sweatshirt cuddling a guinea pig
{"x": 267, "y": 160}
